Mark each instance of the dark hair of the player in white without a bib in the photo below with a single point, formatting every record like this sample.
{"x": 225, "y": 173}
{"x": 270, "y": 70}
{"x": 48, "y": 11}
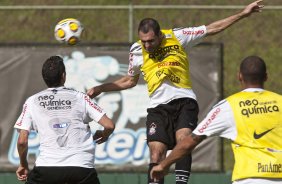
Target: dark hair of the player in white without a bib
{"x": 52, "y": 71}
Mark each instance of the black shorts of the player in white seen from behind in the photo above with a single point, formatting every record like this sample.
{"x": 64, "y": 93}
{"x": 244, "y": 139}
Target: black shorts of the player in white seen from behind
{"x": 62, "y": 175}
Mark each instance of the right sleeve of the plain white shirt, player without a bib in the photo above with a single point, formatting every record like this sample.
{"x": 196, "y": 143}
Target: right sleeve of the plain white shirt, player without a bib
{"x": 93, "y": 111}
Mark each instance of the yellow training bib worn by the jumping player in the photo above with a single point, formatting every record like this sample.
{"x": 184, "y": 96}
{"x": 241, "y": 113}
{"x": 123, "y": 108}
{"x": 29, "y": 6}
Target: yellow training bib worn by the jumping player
{"x": 169, "y": 62}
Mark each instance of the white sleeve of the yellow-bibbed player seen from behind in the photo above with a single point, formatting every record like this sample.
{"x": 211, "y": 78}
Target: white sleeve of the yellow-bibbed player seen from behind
{"x": 219, "y": 122}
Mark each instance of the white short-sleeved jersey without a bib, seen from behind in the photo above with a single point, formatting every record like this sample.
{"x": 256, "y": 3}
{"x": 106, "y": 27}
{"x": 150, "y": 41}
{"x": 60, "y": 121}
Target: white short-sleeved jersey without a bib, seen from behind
{"x": 61, "y": 117}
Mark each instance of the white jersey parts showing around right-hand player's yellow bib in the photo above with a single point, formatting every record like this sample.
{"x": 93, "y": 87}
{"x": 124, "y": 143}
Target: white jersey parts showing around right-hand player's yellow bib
{"x": 220, "y": 122}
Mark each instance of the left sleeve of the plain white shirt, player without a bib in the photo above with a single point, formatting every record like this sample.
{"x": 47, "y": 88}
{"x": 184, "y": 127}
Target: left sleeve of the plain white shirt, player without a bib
{"x": 24, "y": 121}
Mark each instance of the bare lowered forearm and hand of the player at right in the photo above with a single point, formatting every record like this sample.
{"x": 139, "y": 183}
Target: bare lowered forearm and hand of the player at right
{"x": 182, "y": 148}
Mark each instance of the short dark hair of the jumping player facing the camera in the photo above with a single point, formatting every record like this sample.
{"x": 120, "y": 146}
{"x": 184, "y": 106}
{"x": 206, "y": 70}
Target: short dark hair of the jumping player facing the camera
{"x": 148, "y": 24}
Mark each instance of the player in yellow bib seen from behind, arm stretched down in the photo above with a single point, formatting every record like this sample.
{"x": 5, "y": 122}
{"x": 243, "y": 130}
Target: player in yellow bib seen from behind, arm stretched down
{"x": 252, "y": 120}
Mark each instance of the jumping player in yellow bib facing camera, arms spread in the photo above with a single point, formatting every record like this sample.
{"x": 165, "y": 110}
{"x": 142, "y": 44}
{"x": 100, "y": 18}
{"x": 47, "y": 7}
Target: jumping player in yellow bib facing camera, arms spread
{"x": 161, "y": 56}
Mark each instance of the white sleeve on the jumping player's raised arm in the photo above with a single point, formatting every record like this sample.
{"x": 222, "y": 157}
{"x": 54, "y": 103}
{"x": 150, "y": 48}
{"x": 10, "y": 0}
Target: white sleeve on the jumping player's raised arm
{"x": 189, "y": 37}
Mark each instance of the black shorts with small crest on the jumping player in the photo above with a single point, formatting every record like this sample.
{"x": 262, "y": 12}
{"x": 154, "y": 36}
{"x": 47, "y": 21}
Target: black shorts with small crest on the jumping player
{"x": 165, "y": 119}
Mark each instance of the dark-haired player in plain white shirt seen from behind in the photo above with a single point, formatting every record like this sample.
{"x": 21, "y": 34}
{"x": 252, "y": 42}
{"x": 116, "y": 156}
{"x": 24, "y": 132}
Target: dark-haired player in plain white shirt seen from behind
{"x": 61, "y": 118}
